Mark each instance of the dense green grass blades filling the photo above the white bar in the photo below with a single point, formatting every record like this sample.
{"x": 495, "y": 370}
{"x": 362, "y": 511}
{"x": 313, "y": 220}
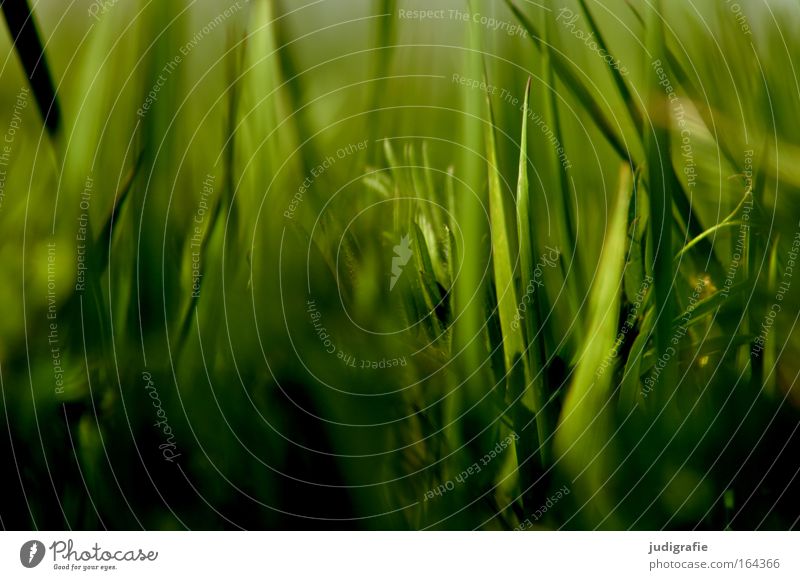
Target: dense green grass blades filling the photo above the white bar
{"x": 651, "y": 371}
